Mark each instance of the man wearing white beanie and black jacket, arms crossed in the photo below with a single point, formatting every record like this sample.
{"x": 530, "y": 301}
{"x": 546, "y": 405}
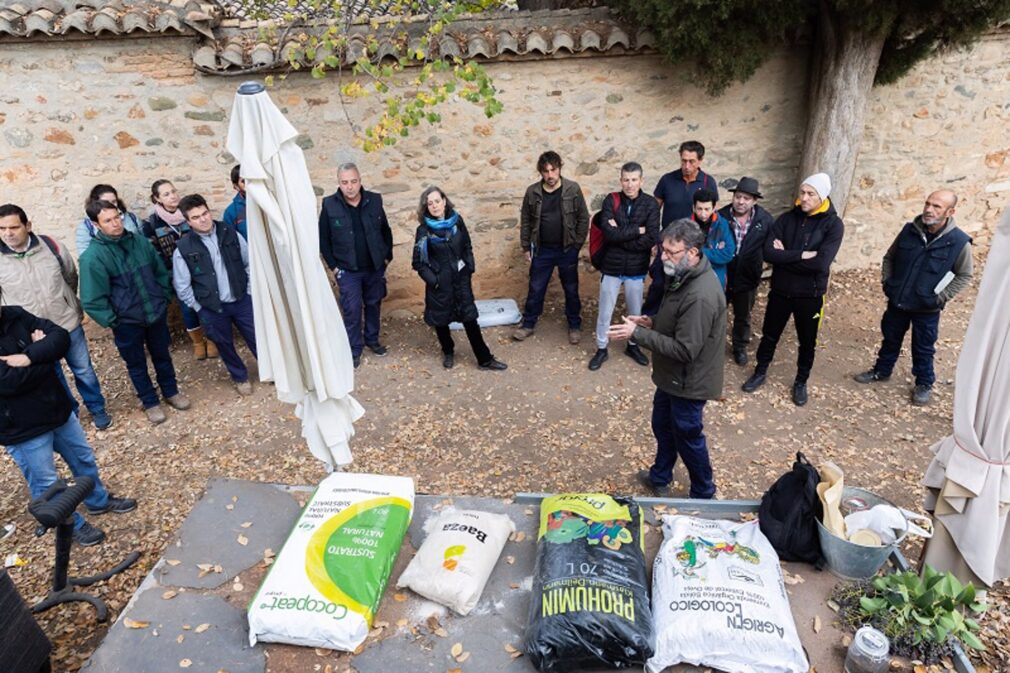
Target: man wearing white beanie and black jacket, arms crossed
{"x": 800, "y": 248}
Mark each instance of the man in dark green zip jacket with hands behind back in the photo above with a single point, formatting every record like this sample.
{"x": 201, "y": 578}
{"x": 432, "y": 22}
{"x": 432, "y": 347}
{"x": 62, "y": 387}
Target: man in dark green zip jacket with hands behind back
{"x": 126, "y": 286}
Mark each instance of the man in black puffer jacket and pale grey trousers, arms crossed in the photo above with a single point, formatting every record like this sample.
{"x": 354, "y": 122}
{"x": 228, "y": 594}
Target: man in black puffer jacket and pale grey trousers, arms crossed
{"x": 631, "y": 229}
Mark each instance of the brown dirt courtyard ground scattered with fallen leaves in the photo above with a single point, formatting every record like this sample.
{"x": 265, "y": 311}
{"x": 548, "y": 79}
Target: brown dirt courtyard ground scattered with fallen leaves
{"x": 545, "y": 425}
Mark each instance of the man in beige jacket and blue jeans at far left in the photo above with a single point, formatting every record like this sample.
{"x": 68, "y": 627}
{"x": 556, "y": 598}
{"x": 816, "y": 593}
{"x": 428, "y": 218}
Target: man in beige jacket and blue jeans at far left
{"x": 40, "y": 275}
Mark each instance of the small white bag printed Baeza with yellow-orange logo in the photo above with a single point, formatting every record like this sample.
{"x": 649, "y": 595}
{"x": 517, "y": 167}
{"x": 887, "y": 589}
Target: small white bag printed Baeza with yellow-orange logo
{"x": 458, "y": 556}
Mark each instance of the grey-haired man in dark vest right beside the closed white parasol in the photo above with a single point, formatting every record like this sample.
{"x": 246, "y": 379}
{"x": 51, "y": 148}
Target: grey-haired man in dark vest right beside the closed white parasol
{"x": 357, "y": 243}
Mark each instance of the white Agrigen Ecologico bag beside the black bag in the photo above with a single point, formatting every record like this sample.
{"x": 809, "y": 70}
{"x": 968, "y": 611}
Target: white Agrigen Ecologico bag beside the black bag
{"x": 719, "y": 601}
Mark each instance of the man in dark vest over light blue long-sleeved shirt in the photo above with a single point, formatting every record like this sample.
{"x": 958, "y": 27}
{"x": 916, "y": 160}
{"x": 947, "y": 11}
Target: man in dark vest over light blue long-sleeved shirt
{"x": 212, "y": 274}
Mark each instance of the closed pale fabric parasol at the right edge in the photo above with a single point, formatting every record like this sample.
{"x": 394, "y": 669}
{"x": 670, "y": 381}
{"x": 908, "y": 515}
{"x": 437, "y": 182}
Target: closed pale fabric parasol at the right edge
{"x": 970, "y": 475}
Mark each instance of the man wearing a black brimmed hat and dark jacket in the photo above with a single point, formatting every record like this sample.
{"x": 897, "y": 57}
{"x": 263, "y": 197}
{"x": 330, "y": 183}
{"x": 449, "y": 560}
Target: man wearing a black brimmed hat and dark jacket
{"x": 750, "y": 225}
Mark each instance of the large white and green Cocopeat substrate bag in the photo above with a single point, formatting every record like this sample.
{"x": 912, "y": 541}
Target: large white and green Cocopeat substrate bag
{"x": 328, "y": 582}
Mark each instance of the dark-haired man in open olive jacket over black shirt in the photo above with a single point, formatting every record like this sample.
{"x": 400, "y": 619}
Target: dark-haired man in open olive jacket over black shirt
{"x": 554, "y": 224}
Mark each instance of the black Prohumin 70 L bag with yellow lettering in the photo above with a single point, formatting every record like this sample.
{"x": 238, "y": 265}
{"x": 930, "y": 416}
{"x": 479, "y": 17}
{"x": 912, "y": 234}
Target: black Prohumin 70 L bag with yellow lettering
{"x": 589, "y": 605}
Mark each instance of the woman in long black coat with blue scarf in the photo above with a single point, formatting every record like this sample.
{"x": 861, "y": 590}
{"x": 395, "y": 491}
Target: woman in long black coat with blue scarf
{"x": 444, "y": 258}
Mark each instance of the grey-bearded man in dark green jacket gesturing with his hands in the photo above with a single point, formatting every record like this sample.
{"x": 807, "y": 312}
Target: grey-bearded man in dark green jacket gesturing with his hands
{"x": 686, "y": 339}
